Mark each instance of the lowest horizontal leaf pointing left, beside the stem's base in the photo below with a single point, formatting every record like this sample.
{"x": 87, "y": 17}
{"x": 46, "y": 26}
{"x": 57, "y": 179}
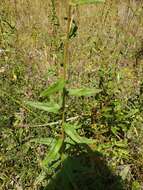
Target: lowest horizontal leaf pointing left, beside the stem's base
{"x": 45, "y": 141}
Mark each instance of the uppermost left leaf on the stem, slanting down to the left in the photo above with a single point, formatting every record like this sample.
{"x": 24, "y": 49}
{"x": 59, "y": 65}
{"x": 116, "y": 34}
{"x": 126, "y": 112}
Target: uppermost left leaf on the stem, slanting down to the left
{"x": 58, "y": 86}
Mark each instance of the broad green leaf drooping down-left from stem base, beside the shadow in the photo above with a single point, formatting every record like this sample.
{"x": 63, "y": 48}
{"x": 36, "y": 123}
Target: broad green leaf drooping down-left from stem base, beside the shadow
{"x": 53, "y": 152}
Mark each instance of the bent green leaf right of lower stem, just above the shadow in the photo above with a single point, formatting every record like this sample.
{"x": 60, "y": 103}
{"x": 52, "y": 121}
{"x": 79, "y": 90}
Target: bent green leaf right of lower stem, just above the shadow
{"x": 72, "y": 133}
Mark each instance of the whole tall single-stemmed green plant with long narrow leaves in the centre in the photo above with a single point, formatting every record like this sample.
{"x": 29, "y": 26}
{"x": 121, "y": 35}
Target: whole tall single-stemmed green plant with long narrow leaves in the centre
{"x": 68, "y": 135}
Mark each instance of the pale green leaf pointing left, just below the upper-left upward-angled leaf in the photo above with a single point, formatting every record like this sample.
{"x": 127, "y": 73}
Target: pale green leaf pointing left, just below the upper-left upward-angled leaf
{"x": 47, "y": 106}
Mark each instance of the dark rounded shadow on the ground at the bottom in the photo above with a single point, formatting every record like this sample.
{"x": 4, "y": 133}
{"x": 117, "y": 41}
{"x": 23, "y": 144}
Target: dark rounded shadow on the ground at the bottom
{"x": 86, "y": 170}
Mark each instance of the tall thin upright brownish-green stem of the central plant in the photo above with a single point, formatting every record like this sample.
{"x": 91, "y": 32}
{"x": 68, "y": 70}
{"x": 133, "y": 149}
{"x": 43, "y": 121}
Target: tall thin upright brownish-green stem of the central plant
{"x": 65, "y": 64}
